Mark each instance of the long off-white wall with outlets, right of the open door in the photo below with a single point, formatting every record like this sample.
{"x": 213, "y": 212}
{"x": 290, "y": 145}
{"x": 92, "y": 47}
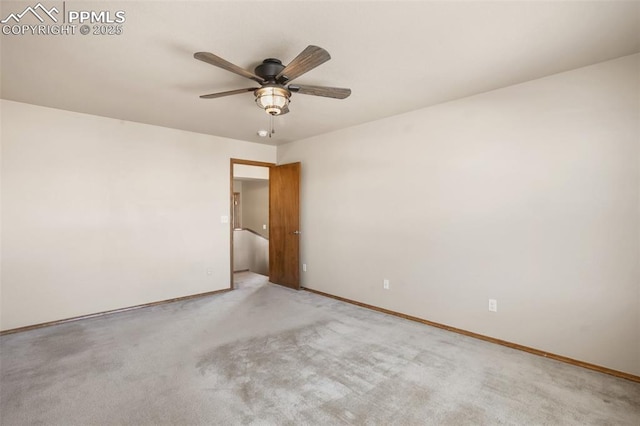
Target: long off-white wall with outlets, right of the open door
{"x": 527, "y": 194}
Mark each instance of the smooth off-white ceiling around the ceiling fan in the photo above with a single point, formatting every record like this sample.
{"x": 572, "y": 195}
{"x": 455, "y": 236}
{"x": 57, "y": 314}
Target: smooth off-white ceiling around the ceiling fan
{"x": 395, "y": 56}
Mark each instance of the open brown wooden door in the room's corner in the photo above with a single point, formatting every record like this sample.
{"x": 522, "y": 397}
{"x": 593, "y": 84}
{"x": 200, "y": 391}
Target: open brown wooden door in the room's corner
{"x": 284, "y": 225}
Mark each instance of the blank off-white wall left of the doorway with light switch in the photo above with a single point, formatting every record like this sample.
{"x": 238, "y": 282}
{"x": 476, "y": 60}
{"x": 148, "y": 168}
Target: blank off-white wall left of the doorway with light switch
{"x": 100, "y": 214}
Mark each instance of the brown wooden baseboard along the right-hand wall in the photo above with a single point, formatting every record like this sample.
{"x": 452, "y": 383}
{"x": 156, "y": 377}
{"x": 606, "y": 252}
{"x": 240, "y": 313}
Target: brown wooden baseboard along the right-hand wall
{"x": 519, "y": 347}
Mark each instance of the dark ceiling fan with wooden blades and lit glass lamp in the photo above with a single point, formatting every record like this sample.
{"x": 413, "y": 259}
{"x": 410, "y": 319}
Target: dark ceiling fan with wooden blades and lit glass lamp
{"x": 274, "y": 92}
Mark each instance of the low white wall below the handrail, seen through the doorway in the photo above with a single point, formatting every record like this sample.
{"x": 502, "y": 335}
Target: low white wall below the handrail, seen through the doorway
{"x": 250, "y": 252}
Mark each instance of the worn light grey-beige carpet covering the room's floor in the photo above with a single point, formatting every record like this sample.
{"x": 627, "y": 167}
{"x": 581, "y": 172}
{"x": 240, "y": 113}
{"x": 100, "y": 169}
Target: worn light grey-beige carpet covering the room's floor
{"x": 267, "y": 355}
